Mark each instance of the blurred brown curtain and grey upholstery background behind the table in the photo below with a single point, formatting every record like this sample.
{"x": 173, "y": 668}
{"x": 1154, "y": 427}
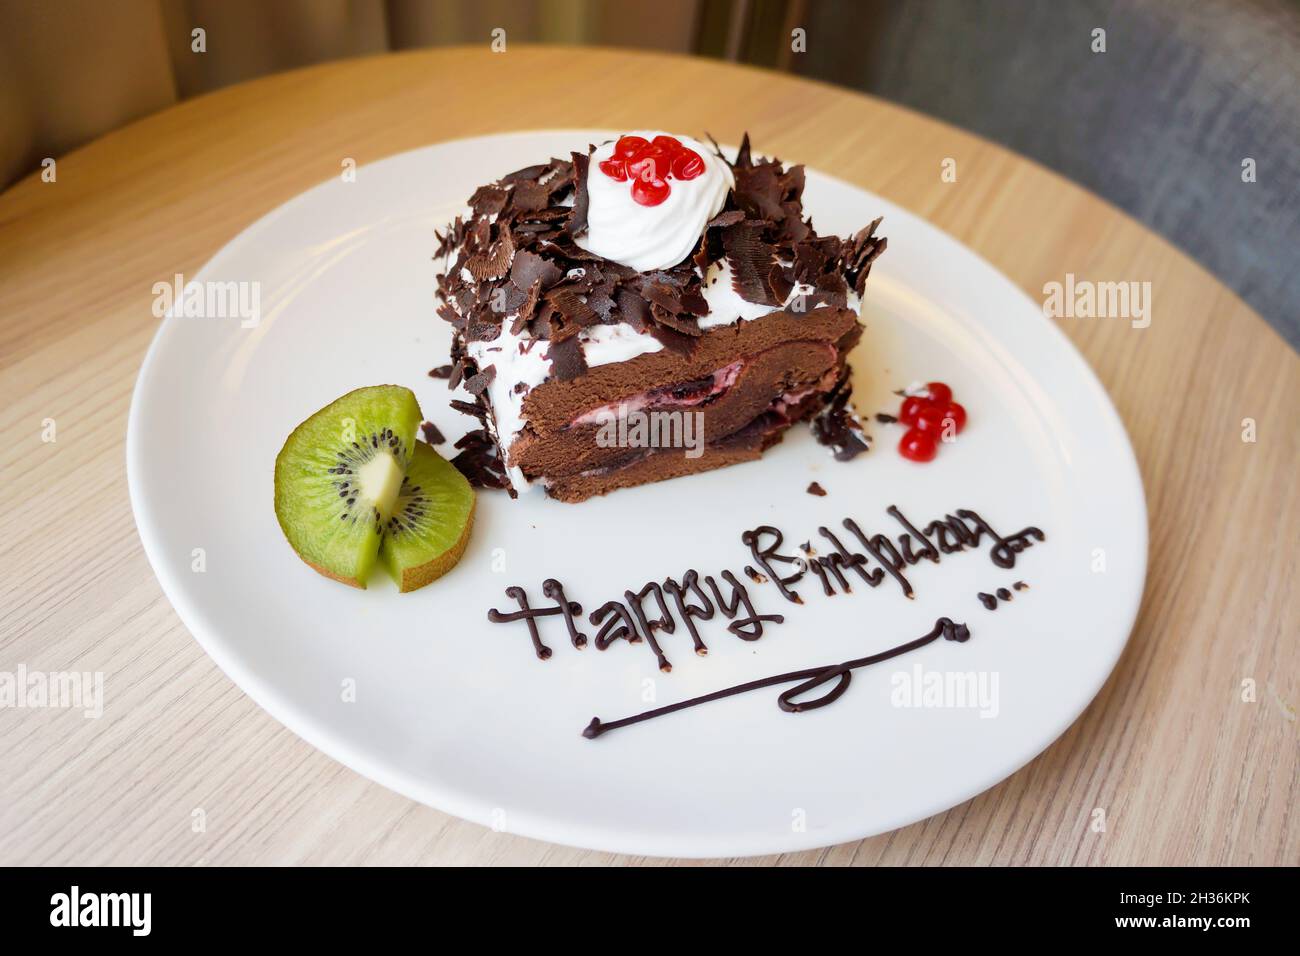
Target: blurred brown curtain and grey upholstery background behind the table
{"x": 1163, "y": 124}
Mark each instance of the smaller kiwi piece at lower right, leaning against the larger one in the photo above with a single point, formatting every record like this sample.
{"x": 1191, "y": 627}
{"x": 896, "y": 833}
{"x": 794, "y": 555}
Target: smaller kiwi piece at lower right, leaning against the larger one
{"x": 430, "y": 527}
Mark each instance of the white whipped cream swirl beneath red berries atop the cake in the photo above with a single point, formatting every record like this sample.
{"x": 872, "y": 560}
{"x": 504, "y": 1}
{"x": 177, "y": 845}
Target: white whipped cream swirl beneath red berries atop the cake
{"x": 652, "y": 237}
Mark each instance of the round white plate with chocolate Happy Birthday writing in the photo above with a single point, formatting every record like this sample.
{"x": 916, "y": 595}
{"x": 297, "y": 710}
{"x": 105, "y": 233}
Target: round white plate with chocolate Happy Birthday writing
{"x": 458, "y": 713}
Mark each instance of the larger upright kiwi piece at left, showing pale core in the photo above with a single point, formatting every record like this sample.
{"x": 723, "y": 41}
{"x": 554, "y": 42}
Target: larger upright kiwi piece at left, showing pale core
{"x": 339, "y": 477}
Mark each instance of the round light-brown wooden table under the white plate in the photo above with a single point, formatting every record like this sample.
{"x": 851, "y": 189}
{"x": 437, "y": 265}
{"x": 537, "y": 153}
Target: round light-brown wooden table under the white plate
{"x": 1186, "y": 771}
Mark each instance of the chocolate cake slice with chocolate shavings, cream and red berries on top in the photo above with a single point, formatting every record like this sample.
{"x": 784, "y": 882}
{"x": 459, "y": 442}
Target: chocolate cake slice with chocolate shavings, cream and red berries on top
{"x": 642, "y": 312}
